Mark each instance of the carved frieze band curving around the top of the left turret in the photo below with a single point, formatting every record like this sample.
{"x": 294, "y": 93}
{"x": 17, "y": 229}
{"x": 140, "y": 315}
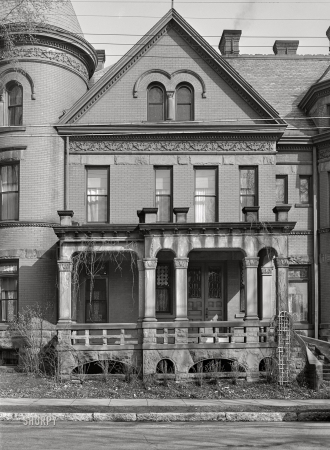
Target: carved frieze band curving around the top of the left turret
{"x": 47, "y": 55}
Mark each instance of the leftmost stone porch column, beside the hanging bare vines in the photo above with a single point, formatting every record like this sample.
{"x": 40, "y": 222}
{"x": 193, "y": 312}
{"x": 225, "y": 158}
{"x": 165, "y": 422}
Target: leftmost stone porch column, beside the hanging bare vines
{"x": 65, "y": 307}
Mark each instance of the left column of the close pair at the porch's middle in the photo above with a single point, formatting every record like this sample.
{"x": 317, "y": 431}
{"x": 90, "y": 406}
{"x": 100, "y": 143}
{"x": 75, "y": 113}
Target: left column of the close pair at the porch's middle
{"x": 150, "y": 265}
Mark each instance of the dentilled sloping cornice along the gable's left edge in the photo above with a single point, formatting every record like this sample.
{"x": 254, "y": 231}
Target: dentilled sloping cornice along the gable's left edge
{"x": 117, "y": 76}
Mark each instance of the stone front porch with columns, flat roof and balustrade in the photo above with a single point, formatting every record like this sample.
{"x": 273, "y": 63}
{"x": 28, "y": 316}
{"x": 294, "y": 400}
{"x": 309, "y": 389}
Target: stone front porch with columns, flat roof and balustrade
{"x": 174, "y": 319}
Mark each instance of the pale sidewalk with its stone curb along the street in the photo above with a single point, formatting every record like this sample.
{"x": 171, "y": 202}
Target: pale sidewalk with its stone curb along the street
{"x": 164, "y": 410}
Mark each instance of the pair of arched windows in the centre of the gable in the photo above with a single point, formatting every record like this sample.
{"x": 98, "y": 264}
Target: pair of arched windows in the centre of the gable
{"x": 161, "y": 108}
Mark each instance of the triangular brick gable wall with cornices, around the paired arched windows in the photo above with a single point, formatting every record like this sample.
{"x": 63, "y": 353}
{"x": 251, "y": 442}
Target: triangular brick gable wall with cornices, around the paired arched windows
{"x": 173, "y": 55}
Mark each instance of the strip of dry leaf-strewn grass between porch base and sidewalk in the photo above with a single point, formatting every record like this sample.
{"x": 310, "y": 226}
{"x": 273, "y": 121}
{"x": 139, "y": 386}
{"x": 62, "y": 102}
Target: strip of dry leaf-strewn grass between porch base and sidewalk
{"x": 17, "y": 385}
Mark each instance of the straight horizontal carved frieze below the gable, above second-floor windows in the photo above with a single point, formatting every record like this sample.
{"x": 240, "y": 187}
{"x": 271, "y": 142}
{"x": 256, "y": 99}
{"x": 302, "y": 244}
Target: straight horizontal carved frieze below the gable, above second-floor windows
{"x": 116, "y": 146}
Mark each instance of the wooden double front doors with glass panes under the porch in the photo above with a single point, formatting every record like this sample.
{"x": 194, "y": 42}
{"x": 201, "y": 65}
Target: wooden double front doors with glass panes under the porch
{"x": 206, "y": 291}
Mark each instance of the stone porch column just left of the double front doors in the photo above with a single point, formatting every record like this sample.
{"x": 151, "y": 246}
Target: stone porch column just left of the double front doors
{"x": 181, "y": 288}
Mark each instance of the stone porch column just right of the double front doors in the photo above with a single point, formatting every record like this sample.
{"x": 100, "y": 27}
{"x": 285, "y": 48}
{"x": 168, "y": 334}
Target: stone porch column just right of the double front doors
{"x": 251, "y": 288}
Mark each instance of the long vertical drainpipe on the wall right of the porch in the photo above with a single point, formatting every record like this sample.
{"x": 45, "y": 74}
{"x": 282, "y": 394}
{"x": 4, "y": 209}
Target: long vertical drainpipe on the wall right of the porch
{"x": 316, "y": 246}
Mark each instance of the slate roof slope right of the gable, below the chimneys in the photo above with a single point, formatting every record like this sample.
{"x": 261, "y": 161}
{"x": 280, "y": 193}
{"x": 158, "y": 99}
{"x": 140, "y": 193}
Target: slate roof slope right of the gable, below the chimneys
{"x": 283, "y": 82}
